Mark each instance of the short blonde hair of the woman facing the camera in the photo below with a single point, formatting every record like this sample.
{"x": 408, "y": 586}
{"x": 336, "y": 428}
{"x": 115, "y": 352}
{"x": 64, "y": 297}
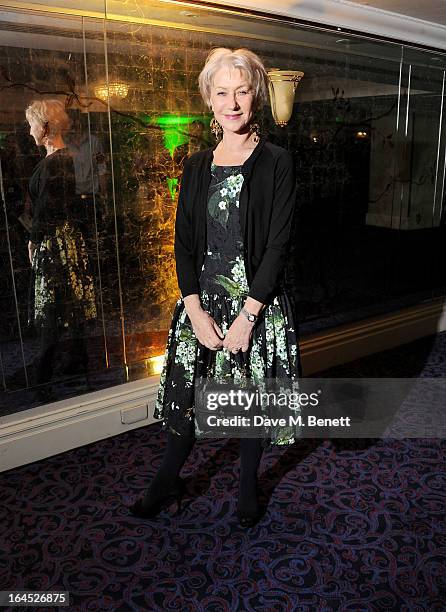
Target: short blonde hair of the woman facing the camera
{"x": 242, "y": 58}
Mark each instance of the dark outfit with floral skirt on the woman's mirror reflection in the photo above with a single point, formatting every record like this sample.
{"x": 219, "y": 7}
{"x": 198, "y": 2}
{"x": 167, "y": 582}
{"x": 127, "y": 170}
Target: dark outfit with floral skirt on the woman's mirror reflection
{"x": 62, "y": 290}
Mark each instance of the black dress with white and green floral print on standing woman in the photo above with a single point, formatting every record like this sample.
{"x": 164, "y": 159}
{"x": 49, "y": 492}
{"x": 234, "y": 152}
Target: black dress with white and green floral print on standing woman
{"x": 273, "y": 352}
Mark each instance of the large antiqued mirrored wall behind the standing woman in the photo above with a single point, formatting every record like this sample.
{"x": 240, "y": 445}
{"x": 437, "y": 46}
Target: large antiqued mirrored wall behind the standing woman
{"x": 368, "y": 139}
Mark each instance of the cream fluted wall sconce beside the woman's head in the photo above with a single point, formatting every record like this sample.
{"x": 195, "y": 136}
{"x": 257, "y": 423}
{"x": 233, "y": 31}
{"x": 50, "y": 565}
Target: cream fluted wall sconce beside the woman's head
{"x": 282, "y": 87}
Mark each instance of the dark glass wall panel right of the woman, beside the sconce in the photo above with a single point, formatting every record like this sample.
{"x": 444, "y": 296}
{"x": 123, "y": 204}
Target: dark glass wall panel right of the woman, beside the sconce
{"x": 344, "y": 136}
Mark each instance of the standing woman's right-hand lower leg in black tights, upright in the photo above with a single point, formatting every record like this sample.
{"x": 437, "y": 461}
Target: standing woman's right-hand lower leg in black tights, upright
{"x": 250, "y": 455}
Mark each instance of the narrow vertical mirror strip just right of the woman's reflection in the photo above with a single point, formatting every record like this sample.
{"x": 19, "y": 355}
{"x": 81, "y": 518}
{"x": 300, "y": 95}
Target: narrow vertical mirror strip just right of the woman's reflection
{"x": 101, "y": 219}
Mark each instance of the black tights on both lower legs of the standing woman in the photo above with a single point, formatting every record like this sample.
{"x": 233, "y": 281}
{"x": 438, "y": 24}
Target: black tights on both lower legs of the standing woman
{"x": 177, "y": 450}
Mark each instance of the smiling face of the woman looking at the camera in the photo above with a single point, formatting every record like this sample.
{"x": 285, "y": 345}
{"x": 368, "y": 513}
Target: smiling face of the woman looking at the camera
{"x": 232, "y": 99}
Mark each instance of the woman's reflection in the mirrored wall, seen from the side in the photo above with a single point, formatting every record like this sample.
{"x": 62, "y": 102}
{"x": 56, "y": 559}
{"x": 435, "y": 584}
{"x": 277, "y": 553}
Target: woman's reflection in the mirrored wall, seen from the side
{"x": 63, "y": 294}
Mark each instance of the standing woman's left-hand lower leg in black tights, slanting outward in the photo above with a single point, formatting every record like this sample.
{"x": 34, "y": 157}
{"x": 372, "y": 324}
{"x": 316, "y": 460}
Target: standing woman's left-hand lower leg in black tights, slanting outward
{"x": 178, "y": 449}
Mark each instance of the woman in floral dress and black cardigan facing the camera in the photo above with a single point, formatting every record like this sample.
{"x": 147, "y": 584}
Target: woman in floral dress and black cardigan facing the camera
{"x": 232, "y": 231}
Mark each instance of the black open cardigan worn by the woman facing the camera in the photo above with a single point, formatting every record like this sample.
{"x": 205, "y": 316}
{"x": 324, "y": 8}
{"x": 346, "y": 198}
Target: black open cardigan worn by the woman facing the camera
{"x": 267, "y": 205}
